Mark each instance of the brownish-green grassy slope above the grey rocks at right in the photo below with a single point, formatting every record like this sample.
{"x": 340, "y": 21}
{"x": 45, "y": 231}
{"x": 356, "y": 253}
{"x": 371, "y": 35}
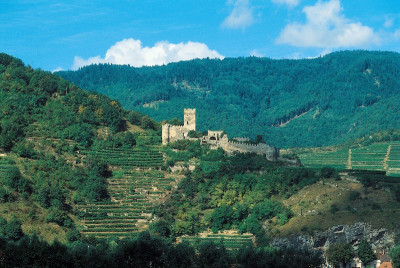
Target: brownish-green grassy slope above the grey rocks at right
{"x": 377, "y": 207}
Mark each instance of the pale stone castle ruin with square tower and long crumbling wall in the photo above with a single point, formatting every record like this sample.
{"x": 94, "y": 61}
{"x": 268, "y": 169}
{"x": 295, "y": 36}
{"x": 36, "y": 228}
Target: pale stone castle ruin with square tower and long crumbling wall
{"x": 215, "y": 139}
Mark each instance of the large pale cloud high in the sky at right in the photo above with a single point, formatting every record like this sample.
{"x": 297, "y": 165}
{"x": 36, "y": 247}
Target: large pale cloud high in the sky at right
{"x": 327, "y": 27}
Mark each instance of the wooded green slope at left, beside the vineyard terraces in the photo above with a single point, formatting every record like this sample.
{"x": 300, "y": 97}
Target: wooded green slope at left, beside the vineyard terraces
{"x": 46, "y": 125}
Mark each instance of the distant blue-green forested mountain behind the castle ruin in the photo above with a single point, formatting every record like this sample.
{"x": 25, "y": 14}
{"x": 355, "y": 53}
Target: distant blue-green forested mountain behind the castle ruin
{"x": 308, "y": 102}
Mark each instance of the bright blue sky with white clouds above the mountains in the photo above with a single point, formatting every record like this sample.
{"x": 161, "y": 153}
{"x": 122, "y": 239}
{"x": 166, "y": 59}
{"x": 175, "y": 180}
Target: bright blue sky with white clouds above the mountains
{"x": 69, "y": 34}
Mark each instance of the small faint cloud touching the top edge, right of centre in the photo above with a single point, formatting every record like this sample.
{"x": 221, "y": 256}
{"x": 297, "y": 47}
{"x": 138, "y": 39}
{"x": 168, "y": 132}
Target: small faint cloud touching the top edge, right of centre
{"x": 241, "y": 16}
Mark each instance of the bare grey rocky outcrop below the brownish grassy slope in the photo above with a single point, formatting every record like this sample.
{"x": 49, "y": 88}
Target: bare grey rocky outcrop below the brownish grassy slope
{"x": 380, "y": 239}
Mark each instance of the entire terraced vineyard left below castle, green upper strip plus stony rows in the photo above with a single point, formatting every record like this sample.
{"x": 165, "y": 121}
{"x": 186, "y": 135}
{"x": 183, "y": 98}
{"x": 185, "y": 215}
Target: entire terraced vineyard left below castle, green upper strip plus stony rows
{"x": 134, "y": 187}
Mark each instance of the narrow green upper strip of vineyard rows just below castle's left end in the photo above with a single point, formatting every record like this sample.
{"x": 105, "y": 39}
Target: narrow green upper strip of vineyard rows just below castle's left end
{"x": 140, "y": 157}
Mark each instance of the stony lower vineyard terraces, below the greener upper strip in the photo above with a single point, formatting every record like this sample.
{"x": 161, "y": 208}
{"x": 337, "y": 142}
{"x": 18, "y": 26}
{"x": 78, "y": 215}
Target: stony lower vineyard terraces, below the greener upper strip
{"x": 133, "y": 194}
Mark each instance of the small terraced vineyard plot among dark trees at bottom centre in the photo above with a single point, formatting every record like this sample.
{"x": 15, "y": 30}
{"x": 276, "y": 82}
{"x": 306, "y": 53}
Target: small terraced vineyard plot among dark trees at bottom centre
{"x": 230, "y": 241}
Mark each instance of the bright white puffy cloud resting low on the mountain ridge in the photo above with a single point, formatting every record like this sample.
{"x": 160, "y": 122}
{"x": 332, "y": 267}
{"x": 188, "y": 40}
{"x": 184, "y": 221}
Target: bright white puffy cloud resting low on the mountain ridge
{"x": 131, "y": 51}
